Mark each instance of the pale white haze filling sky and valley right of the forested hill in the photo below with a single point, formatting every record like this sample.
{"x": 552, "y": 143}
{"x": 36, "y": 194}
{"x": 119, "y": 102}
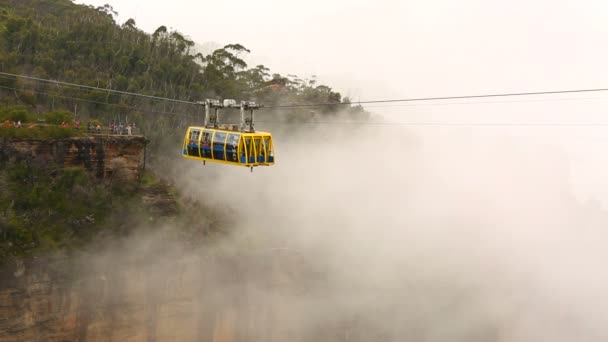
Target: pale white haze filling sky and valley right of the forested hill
{"x": 452, "y": 231}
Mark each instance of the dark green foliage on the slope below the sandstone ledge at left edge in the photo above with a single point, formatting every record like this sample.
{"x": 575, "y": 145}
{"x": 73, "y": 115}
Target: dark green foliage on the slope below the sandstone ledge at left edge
{"x": 45, "y": 209}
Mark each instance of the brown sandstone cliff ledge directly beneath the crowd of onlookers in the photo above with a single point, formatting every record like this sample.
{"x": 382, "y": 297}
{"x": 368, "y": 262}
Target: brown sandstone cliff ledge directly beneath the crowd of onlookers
{"x": 106, "y": 157}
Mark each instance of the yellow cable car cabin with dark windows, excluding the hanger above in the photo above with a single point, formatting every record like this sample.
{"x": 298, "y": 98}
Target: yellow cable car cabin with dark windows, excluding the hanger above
{"x": 229, "y": 147}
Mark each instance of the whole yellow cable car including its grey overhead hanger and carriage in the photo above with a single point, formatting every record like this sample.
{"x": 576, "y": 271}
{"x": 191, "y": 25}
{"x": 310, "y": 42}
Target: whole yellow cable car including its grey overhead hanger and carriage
{"x": 229, "y": 144}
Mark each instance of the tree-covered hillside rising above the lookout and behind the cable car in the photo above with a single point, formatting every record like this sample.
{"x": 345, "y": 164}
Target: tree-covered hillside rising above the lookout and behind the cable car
{"x": 57, "y": 39}
